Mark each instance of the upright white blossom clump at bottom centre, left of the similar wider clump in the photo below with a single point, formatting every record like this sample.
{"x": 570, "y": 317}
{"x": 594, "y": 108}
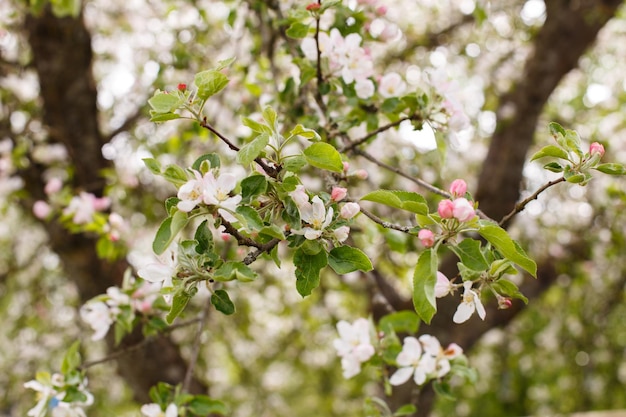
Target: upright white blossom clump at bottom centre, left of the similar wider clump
{"x": 353, "y": 346}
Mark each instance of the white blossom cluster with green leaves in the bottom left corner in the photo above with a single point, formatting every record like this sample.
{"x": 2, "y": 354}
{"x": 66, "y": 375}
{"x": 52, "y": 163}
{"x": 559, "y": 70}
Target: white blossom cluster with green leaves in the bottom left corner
{"x": 60, "y": 395}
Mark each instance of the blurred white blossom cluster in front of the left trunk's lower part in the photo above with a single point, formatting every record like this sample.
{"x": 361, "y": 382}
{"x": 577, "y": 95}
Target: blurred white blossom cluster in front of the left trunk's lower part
{"x": 118, "y": 304}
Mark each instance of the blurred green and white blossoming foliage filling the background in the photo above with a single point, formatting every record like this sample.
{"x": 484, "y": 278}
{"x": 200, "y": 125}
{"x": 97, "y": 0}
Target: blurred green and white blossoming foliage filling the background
{"x": 566, "y": 352}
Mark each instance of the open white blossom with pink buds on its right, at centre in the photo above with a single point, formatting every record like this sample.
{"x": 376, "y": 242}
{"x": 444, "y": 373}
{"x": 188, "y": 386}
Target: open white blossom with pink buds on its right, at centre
{"x": 318, "y": 218}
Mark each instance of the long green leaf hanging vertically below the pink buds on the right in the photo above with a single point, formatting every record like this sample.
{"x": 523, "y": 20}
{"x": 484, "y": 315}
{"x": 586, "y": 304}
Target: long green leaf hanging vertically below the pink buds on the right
{"x": 424, "y": 280}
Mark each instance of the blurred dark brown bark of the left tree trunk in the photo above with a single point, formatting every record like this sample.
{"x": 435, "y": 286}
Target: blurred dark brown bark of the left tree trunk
{"x": 63, "y": 57}
